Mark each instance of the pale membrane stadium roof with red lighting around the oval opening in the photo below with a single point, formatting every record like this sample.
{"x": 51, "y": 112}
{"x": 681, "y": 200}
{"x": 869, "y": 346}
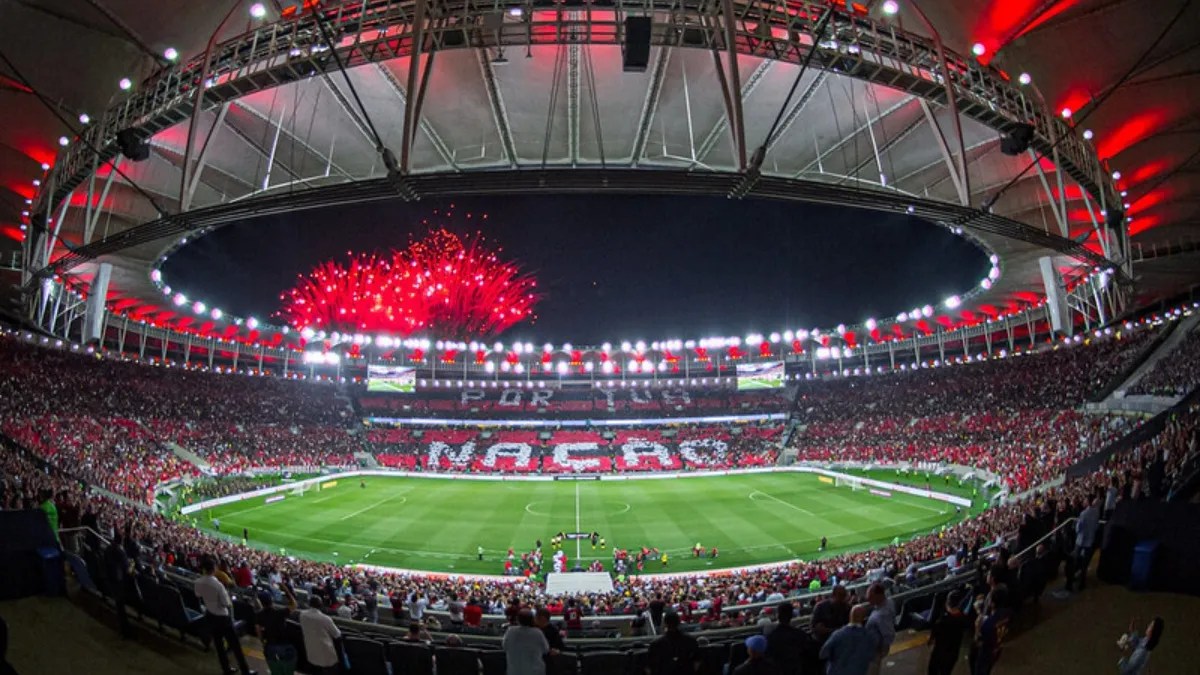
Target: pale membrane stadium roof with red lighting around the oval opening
{"x": 542, "y": 103}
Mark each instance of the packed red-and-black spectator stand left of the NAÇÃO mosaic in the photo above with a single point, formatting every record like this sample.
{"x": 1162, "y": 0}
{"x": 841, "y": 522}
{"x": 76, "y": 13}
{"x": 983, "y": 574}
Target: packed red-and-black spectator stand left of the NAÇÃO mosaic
{"x": 112, "y": 422}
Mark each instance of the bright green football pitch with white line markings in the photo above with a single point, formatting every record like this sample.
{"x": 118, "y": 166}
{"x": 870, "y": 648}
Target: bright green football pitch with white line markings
{"x": 436, "y": 524}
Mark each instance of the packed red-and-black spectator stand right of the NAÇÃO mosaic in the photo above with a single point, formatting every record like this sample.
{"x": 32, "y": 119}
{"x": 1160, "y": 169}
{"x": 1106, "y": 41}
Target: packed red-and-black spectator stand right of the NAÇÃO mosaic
{"x": 1013, "y": 417}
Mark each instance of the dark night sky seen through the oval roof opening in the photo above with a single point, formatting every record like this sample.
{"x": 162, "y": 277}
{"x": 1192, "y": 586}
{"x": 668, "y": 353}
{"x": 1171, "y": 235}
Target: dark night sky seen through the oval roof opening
{"x": 616, "y": 268}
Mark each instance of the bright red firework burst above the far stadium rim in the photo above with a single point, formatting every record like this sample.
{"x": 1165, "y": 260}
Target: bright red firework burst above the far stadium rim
{"x": 443, "y": 285}
